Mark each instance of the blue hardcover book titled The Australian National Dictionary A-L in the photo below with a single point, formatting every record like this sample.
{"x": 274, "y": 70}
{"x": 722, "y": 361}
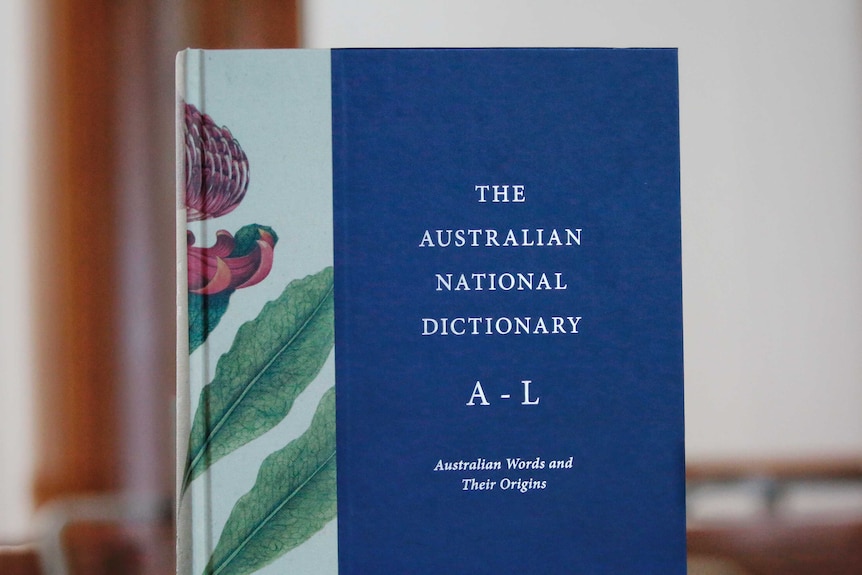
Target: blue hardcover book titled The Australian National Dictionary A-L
{"x": 430, "y": 312}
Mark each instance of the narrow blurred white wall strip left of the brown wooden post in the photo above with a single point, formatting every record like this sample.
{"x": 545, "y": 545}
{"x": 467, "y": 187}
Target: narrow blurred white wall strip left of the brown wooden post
{"x": 16, "y": 432}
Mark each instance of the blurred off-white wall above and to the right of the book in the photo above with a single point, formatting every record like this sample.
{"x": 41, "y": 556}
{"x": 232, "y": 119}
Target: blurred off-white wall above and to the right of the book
{"x": 771, "y": 130}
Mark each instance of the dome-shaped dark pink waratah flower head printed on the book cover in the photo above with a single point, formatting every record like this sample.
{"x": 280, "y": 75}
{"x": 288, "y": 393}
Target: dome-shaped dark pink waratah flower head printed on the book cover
{"x": 216, "y": 167}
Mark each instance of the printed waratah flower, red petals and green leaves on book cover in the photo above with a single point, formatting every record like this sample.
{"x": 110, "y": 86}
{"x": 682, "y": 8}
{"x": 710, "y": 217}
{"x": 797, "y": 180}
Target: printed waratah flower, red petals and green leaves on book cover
{"x": 273, "y": 358}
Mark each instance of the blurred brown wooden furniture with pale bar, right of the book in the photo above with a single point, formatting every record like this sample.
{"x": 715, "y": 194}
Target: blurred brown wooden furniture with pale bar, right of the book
{"x": 803, "y": 517}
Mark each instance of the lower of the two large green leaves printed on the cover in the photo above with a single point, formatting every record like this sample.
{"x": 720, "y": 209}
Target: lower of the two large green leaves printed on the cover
{"x": 293, "y": 498}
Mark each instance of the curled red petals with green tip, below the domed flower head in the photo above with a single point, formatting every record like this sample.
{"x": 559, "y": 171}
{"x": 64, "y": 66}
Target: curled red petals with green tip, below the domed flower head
{"x": 231, "y": 263}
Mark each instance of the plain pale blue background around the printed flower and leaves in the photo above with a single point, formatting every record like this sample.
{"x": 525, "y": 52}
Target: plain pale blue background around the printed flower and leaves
{"x": 277, "y": 105}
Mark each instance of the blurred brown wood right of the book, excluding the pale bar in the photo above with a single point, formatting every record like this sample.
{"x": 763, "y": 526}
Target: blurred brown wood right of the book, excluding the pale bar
{"x": 774, "y": 541}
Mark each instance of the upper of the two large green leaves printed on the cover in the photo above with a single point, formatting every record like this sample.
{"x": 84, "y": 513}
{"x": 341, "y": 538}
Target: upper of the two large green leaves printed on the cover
{"x": 273, "y": 358}
